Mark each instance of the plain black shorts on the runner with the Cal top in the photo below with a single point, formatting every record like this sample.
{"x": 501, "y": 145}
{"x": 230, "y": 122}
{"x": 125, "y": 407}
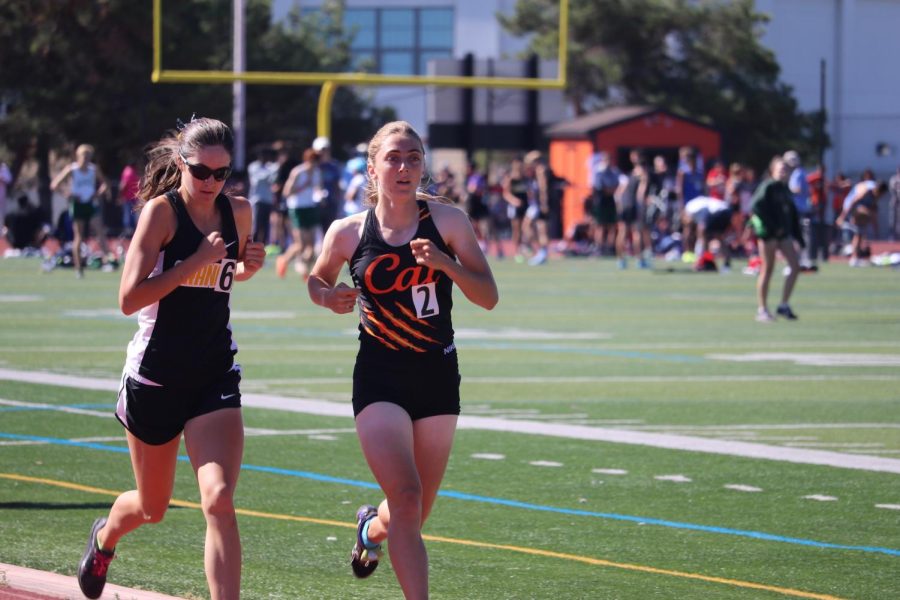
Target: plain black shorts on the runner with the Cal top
{"x": 424, "y": 386}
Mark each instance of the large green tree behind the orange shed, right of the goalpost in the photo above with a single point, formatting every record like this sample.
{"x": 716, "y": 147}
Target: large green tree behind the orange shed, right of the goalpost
{"x": 700, "y": 58}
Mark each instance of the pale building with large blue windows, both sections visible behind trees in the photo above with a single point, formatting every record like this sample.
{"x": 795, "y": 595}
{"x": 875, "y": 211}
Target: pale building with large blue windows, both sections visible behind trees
{"x": 857, "y": 39}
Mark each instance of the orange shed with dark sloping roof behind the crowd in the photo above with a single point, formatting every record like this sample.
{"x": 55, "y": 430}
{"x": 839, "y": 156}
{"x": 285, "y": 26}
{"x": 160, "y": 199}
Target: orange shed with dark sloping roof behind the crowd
{"x": 617, "y": 131}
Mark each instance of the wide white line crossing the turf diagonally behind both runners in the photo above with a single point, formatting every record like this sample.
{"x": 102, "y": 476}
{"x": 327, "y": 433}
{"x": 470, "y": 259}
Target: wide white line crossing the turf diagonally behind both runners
{"x": 580, "y": 432}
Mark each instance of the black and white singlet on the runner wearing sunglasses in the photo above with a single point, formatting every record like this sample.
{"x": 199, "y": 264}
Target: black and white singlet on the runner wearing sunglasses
{"x": 184, "y": 339}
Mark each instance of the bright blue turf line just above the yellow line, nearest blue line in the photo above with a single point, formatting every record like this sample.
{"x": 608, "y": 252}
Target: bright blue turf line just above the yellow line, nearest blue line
{"x": 757, "y": 535}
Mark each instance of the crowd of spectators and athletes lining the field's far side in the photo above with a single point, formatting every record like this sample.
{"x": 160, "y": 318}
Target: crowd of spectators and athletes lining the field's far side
{"x": 642, "y": 209}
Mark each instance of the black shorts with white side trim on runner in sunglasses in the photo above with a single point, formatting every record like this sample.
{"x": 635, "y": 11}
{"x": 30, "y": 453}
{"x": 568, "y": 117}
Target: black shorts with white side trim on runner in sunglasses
{"x": 157, "y": 414}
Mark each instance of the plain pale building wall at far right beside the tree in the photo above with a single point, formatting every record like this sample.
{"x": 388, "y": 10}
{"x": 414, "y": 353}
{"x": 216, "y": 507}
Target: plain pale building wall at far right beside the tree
{"x": 858, "y": 40}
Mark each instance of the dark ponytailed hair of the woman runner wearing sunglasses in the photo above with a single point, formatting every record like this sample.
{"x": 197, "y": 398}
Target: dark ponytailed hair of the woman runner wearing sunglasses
{"x": 161, "y": 173}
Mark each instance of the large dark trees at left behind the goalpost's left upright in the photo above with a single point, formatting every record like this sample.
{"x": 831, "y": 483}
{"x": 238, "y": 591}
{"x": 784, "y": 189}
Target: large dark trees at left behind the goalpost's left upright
{"x": 75, "y": 71}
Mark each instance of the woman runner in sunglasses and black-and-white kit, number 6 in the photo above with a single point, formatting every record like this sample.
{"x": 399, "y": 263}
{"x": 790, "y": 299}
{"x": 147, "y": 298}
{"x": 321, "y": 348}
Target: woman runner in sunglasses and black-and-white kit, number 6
{"x": 191, "y": 244}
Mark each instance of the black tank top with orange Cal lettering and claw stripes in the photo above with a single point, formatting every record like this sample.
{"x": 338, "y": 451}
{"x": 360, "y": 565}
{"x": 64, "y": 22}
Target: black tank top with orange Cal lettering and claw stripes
{"x": 404, "y": 307}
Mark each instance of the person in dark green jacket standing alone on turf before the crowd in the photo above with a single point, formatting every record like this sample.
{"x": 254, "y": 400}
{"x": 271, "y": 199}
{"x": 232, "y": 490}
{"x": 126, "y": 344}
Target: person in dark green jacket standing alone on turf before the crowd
{"x": 776, "y": 223}
